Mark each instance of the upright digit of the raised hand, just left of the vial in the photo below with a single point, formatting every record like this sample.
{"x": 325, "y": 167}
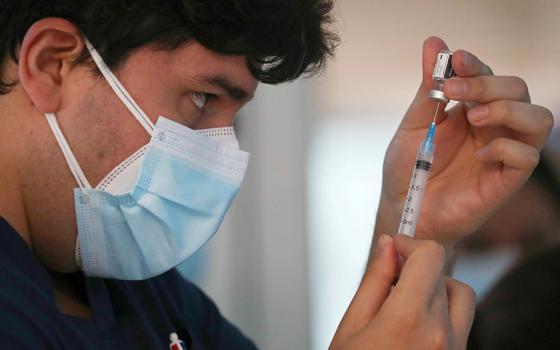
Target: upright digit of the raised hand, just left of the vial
{"x": 421, "y": 111}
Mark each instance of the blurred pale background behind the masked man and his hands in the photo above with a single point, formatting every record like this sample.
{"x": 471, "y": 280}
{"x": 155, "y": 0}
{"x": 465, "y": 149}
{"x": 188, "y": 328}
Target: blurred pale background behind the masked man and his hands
{"x": 293, "y": 248}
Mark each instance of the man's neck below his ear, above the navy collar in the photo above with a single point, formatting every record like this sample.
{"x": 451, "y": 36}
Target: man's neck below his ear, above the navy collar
{"x": 25, "y": 172}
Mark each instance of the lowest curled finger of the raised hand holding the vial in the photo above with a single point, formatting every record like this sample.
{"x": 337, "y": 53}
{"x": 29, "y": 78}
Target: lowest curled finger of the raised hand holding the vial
{"x": 512, "y": 153}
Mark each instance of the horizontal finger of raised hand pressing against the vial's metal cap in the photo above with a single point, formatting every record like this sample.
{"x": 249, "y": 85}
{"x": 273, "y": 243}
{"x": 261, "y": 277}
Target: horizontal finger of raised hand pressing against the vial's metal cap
{"x": 486, "y": 88}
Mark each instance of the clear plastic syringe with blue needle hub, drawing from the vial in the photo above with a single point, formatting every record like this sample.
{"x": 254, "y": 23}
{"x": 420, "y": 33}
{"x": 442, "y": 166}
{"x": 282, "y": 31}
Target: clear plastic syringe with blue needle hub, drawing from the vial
{"x": 413, "y": 201}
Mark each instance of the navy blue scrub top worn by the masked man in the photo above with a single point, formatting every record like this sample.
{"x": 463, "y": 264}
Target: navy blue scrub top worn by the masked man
{"x": 126, "y": 315}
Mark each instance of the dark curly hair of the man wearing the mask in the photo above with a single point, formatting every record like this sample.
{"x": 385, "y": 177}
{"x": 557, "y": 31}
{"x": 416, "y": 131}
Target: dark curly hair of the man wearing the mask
{"x": 282, "y": 39}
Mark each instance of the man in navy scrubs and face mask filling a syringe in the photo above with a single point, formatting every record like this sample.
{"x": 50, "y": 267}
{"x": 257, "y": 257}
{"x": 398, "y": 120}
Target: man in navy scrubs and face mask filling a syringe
{"x": 97, "y": 212}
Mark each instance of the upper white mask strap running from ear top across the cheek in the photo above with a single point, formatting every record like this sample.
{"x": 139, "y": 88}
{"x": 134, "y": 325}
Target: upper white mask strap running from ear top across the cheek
{"x": 119, "y": 89}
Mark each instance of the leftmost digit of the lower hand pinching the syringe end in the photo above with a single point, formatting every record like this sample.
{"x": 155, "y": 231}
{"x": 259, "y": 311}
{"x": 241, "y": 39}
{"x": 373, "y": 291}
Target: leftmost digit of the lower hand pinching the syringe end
{"x": 373, "y": 290}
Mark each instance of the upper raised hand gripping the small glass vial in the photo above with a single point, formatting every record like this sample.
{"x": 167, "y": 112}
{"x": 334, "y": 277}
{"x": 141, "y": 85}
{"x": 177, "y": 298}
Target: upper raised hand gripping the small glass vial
{"x": 486, "y": 148}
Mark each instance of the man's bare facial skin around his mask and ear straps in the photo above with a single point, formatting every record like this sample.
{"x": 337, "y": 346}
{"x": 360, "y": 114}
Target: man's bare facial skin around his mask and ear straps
{"x": 102, "y": 132}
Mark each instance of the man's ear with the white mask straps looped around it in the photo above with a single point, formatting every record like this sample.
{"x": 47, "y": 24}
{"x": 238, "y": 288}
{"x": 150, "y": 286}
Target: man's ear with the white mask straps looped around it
{"x": 46, "y": 56}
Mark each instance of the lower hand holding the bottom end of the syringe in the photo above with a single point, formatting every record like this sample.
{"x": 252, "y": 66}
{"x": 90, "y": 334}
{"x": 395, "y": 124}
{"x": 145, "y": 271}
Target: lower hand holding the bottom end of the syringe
{"x": 424, "y": 310}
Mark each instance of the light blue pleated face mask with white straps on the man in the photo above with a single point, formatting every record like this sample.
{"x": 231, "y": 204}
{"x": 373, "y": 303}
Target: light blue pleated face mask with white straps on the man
{"x": 160, "y": 205}
